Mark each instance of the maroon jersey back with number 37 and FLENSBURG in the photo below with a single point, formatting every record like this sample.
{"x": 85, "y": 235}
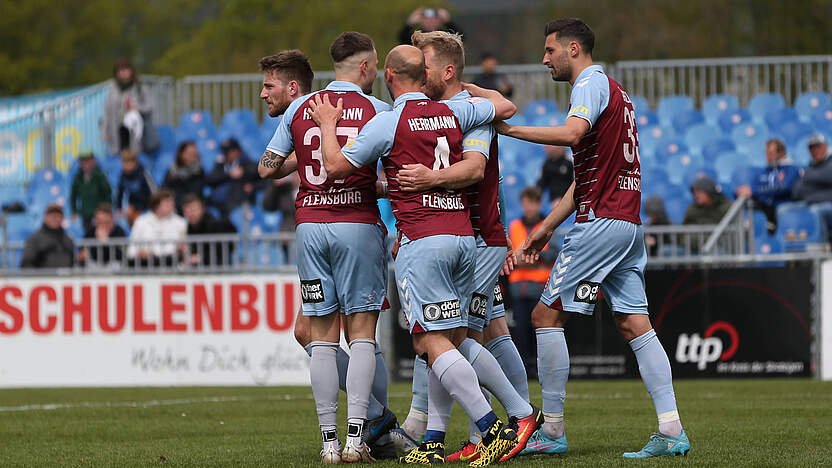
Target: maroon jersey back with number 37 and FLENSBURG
{"x": 321, "y": 199}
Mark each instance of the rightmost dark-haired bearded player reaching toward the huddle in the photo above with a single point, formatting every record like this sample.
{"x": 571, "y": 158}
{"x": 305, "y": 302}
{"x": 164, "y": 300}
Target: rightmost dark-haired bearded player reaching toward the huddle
{"x": 604, "y": 250}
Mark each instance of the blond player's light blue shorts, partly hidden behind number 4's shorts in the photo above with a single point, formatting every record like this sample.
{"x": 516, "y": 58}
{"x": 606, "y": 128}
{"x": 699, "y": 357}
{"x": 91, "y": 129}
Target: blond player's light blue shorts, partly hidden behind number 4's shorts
{"x": 489, "y": 263}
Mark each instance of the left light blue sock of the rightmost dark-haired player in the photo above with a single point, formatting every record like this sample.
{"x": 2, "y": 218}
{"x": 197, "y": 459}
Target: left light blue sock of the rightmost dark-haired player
{"x": 553, "y": 372}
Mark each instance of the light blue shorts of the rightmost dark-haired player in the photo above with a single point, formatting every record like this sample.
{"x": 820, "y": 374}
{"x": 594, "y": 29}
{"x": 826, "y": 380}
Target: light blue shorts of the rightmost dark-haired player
{"x": 602, "y": 256}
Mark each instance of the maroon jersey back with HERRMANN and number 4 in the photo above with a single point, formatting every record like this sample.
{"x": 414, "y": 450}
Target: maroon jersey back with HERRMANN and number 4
{"x": 427, "y": 133}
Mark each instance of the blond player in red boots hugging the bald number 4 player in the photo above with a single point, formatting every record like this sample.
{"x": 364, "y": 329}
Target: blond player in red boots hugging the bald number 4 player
{"x": 444, "y": 61}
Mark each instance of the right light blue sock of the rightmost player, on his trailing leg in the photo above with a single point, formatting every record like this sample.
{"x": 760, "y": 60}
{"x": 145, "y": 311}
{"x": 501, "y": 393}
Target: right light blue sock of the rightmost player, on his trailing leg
{"x": 654, "y": 367}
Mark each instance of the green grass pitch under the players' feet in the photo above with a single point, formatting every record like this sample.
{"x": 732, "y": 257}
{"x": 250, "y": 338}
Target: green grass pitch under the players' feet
{"x": 730, "y": 423}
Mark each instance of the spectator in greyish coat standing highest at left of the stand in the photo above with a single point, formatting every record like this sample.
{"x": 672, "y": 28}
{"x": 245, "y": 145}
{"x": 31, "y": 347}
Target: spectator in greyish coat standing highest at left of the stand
{"x": 128, "y": 110}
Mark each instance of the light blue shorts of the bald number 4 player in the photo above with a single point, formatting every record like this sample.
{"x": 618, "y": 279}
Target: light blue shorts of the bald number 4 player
{"x": 435, "y": 277}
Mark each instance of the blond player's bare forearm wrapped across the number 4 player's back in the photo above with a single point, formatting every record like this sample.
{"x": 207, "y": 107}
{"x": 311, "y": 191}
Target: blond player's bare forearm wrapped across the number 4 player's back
{"x": 469, "y": 171}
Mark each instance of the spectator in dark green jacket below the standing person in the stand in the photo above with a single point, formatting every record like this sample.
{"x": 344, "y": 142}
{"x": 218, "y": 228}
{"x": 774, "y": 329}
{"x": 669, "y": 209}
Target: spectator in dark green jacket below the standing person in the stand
{"x": 90, "y": 188}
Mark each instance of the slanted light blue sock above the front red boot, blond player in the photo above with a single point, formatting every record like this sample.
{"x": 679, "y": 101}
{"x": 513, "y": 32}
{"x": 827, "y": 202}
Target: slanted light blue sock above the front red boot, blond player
{"x": 491, "y": 377}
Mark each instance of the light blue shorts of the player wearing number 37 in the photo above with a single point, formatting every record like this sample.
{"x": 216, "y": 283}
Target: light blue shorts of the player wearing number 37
{"x": 341, "y": 267}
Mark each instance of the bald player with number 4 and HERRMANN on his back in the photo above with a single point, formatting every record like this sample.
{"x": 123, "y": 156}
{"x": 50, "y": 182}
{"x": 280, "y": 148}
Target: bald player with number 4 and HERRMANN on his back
{"x": 435, "y": 261}
